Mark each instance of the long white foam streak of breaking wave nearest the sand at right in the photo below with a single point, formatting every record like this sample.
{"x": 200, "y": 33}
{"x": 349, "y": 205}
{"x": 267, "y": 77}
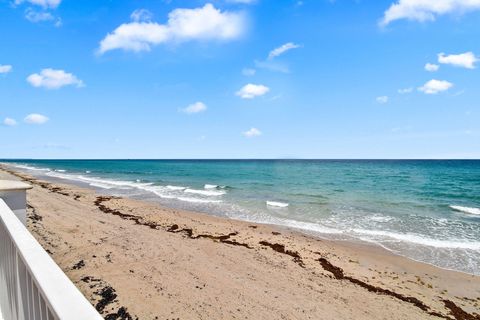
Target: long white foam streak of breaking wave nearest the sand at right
{"x": 416, "y": 239}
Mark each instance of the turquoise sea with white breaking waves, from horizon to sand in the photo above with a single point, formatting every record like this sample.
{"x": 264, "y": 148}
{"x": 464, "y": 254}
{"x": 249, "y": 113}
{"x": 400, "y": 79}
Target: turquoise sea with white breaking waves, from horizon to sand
{"x": 425, "y": 210}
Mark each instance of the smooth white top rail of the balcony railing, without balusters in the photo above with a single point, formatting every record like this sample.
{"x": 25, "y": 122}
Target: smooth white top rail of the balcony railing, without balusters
{"x": 63, "y": 298}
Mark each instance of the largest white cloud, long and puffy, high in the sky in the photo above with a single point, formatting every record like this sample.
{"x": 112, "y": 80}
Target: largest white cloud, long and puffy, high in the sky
{"x": 205, "y": 23}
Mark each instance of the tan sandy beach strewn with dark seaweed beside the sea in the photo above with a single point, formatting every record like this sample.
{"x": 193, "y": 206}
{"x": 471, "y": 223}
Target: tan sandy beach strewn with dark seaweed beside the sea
{"x": 138, "y": 260}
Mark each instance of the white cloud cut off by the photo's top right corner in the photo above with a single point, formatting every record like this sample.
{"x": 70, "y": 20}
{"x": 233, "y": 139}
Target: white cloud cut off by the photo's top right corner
{"x": 426, "y": 10}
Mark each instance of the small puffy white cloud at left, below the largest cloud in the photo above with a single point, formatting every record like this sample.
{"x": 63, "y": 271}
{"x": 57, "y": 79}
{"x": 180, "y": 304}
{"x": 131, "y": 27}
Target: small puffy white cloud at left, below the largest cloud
{"x": 53, "y": 79}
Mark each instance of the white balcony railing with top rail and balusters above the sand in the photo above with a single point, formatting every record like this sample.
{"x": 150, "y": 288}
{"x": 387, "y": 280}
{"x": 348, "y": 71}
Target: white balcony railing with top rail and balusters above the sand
{"x": 32, "y": 286}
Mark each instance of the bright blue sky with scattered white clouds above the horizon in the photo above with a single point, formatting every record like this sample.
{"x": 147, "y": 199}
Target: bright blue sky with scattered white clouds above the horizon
{"x": 239, "y": 79}
